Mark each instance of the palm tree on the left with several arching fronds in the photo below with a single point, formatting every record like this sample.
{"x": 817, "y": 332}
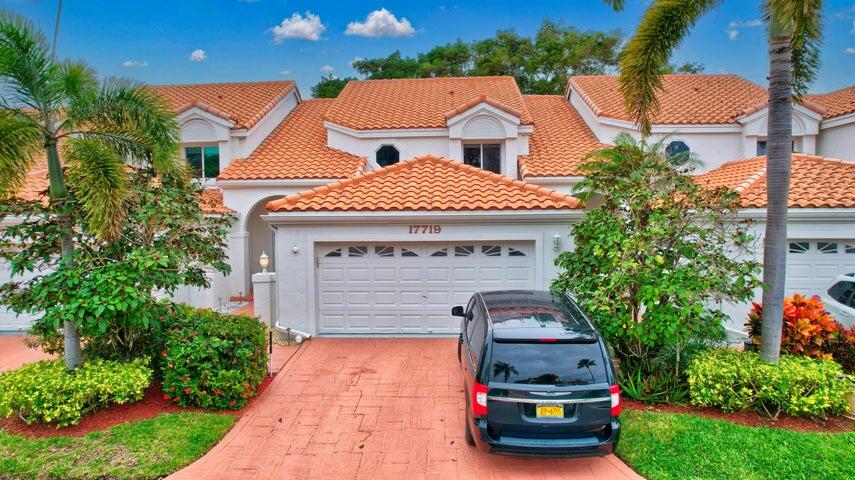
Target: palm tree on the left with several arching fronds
{"x": 103, "y": 125}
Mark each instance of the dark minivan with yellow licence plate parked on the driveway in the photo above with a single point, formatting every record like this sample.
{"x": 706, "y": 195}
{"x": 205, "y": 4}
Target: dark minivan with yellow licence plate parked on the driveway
{"x": 537, "y": 376}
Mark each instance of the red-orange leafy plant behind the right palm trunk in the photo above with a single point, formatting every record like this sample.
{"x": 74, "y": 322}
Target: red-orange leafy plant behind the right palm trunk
{"x": 808, "y": 328}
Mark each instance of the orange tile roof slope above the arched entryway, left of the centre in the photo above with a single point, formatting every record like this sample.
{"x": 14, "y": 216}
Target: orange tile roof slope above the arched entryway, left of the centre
{"x": 296, "y": 148}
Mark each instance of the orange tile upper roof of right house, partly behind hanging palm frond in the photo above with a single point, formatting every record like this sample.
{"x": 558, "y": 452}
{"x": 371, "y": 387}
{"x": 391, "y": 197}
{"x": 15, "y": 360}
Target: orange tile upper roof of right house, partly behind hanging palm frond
{"x": 684, "y": 100}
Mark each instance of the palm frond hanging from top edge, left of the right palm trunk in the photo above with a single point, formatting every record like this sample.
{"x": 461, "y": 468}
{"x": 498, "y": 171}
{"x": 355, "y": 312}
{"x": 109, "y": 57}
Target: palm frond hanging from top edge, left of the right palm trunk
{"x": 663, "y": 27}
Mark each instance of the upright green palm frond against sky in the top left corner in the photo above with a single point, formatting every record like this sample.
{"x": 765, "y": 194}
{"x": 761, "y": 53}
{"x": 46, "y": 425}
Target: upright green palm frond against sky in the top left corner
{"x": 26, "y": 66}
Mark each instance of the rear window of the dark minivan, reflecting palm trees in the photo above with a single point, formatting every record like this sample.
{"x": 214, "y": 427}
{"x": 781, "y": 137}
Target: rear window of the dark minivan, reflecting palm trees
{"x": 558, "y": 364}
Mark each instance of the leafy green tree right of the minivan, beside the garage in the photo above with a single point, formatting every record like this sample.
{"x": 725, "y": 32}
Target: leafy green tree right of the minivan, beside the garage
{"x": 649, "y": 260}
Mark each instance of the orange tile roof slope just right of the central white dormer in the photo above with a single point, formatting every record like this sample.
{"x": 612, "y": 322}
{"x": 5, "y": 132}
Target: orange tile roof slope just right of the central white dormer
{"x": 560, "y": 140}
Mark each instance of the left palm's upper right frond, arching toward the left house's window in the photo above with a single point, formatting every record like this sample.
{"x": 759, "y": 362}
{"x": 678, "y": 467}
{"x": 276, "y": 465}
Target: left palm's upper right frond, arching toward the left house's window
{"x": 126, "y": 109}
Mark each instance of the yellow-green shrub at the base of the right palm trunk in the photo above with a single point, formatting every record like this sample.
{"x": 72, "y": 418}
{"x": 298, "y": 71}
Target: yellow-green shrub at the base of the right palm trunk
{"x": 798, "y": 385}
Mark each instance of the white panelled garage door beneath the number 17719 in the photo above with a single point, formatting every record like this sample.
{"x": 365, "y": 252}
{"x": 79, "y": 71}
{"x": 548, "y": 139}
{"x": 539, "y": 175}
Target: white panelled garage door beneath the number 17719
{"x": 409, "y": 288}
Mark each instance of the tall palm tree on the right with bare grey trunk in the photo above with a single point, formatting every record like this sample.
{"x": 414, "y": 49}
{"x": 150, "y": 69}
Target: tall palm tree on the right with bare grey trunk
{"x": 794, "y": 35}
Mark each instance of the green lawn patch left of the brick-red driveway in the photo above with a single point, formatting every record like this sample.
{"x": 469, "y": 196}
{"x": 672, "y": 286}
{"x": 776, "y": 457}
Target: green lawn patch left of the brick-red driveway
{"x": 149, "y": 448}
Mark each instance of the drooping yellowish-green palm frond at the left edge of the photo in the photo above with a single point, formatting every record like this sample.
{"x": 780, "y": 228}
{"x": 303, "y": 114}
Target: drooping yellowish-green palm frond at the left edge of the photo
{"x": 20, "y": 142}
